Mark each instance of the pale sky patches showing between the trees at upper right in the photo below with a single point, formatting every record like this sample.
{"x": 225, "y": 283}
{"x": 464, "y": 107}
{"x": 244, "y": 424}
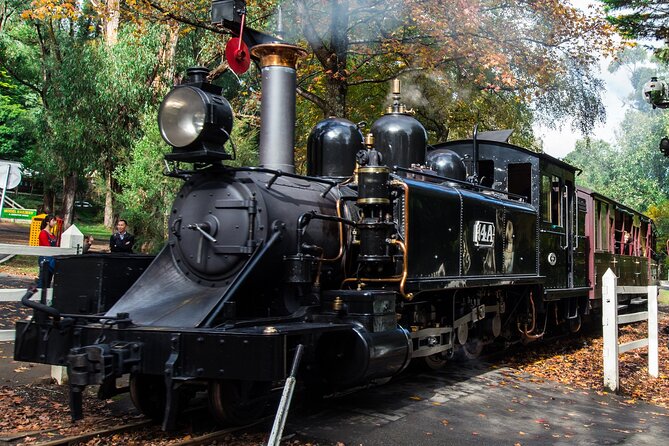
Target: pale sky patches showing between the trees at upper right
{"x": 559, "y": 142}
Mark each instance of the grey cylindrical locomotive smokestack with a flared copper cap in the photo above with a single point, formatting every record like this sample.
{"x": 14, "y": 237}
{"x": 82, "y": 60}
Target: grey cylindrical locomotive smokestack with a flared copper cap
{"x": 278, "y": 62}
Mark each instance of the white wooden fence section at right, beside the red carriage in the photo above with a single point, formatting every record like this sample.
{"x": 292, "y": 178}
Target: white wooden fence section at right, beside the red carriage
{"x": 611, "y": 320}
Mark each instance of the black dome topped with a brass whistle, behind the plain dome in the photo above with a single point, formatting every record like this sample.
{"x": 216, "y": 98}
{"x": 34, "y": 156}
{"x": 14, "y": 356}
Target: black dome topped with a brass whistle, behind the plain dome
{"x": 400, "y": 138}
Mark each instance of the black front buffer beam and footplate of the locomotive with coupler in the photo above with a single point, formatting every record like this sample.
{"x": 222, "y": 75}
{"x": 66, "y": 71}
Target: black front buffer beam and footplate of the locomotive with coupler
{"x": 96, "y": 355}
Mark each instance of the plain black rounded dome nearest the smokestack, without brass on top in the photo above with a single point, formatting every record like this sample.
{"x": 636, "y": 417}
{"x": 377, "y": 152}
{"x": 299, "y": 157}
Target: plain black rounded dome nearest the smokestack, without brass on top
{"x": 332, "y": 147}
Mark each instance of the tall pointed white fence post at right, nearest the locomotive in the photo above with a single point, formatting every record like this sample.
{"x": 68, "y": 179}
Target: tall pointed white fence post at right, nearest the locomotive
{"x": 610, "y": 329}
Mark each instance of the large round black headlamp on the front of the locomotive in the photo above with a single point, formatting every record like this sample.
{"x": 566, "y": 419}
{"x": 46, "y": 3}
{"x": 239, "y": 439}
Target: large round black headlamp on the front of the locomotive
{"x": 195, "y": 120}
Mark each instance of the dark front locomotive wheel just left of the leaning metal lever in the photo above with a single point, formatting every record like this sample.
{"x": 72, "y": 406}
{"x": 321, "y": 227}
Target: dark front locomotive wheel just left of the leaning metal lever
{"x": 238, "y": 402}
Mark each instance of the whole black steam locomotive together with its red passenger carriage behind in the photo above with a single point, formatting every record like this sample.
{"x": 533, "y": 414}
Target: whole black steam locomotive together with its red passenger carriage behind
{"x": 387, "y": 251}
